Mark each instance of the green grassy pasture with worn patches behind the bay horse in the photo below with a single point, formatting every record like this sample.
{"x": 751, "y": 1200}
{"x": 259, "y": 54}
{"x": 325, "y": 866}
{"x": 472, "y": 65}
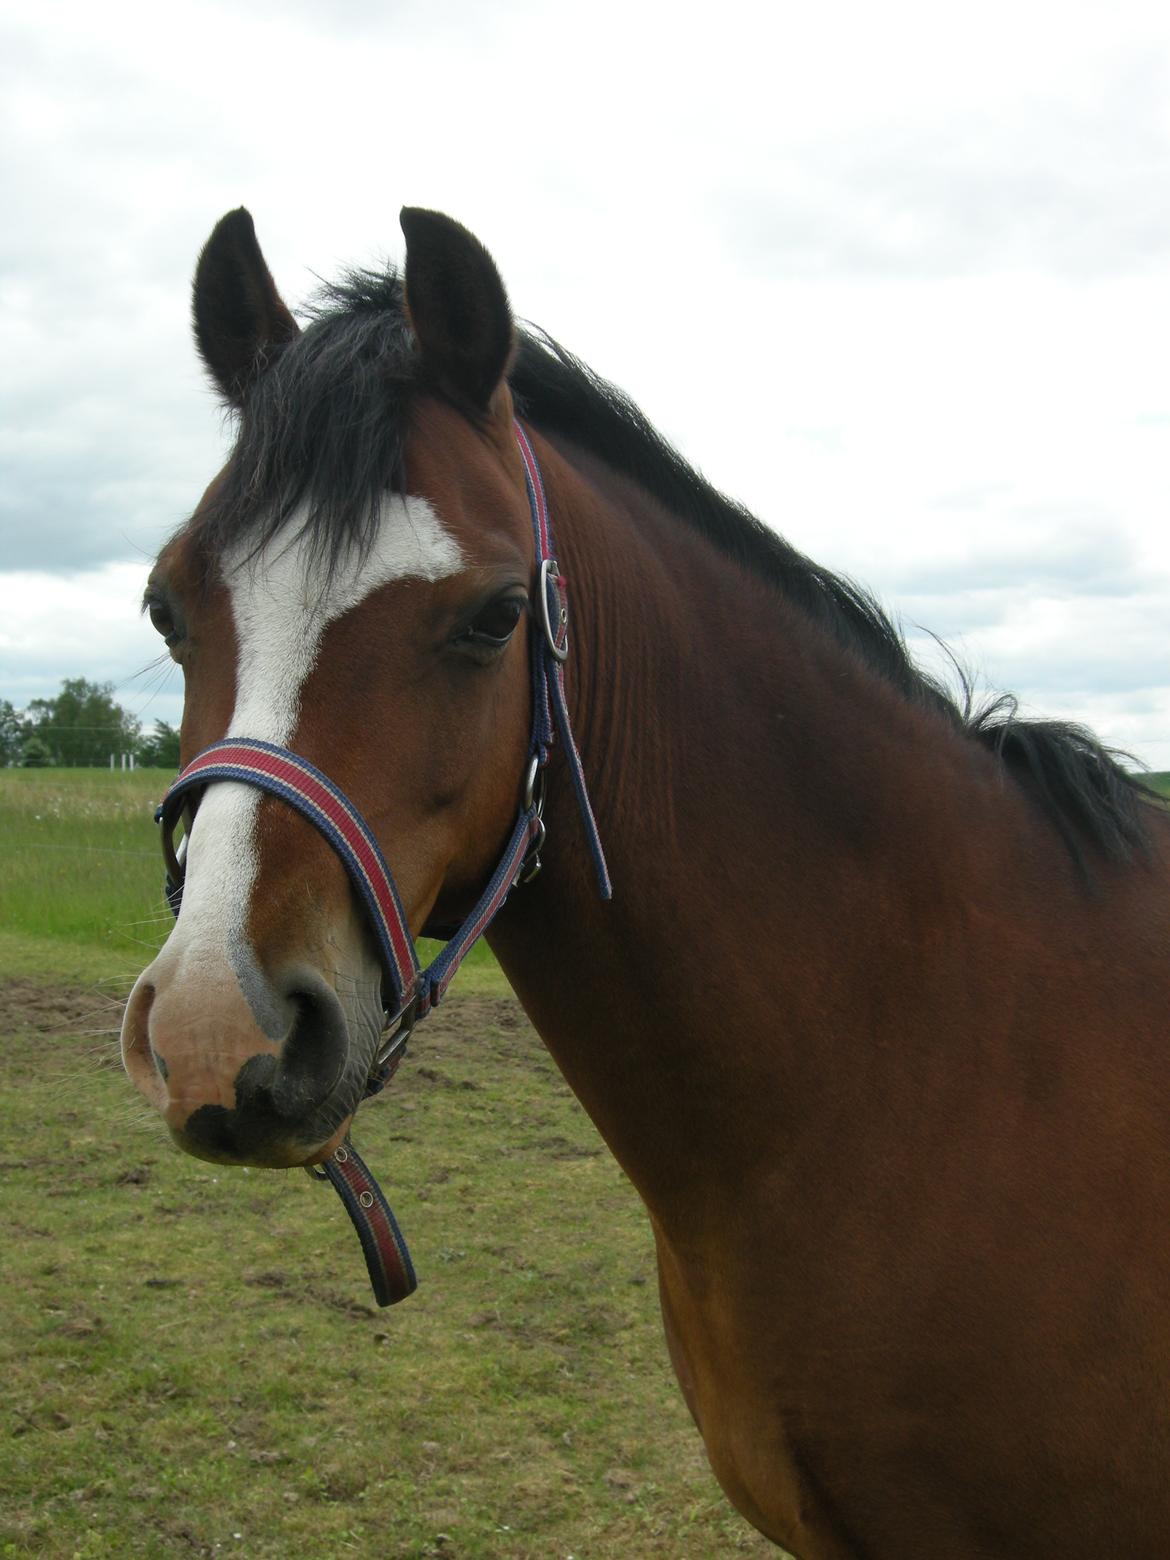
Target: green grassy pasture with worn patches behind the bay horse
{"x": 193, "y": 1364}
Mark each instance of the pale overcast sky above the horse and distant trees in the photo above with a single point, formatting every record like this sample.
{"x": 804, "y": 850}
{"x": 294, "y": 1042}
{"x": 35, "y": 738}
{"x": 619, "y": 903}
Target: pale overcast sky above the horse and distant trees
{"x": 896, "y": 277}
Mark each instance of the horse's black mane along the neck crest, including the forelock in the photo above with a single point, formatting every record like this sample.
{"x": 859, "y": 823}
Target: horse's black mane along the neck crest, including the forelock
{"x": 324, "y": 427}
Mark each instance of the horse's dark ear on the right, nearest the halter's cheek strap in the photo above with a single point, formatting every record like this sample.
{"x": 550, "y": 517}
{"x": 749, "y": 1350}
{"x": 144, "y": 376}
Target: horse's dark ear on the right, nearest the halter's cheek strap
{"x": 458, "y": 307}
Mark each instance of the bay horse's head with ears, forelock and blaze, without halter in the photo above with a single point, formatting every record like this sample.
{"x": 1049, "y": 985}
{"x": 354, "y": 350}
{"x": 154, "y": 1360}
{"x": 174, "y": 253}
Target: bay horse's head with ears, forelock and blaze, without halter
{"x": 353, "y": 587}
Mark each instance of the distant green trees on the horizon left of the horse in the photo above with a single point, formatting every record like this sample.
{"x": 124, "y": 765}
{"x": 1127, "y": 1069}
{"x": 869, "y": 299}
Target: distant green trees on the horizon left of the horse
{"x": 80, "y": 729}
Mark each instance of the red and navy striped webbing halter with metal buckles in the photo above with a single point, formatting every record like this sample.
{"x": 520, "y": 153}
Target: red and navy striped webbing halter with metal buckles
{"x": 414, "y": 991}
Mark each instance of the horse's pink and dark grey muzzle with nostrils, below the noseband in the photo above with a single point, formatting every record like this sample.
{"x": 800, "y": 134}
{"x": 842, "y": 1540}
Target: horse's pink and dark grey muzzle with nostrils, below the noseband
{"x": 260, "y": 1072}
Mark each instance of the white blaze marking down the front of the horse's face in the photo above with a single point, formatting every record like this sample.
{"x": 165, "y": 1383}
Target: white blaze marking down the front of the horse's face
{"x": 283, "y": 600}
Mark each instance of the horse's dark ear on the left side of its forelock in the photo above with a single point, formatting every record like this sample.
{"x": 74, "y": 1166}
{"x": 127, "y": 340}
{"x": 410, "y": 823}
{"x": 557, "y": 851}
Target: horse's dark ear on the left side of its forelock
{"x": 239, "y": 316}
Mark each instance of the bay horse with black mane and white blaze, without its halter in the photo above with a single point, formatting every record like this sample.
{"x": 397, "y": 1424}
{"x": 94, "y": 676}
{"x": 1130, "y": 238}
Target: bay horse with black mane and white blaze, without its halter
{"x": 877, "y": 1015}
